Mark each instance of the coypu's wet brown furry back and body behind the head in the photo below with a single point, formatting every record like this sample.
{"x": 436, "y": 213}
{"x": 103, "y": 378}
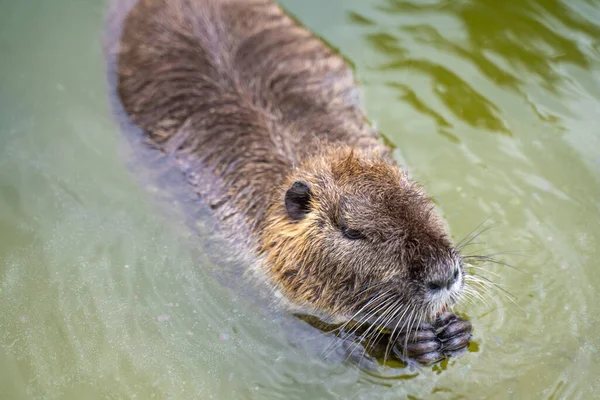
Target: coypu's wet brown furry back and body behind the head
{"x": 237, "y": 89}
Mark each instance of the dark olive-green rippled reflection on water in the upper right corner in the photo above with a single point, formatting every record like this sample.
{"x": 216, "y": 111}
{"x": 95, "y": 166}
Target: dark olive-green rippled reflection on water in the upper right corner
{"x": 503, "y": 40}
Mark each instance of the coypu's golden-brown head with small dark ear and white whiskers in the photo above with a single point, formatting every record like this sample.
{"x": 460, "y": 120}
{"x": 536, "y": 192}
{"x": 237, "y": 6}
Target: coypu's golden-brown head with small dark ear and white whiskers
{"x": 351, "y": 235}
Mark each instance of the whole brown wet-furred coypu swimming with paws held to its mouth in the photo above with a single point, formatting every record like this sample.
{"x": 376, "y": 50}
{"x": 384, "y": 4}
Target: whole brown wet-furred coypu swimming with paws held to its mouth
{"x": 265, "y": 121}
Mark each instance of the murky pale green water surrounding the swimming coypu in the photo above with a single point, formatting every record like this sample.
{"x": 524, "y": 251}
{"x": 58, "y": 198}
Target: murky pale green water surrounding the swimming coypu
{"x": 493, "y": 105}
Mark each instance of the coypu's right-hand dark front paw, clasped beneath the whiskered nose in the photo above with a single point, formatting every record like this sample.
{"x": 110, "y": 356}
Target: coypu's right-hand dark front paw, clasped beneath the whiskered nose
{"x": 454, "y": 333}
